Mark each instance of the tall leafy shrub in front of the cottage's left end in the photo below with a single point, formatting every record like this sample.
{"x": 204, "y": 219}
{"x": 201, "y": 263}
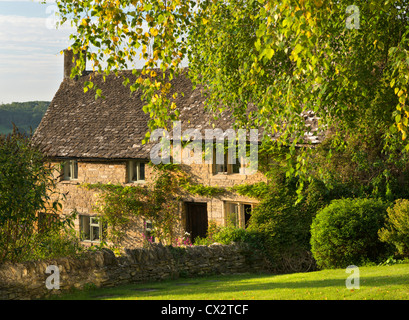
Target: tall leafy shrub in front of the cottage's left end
{"x": 27, "y": 197}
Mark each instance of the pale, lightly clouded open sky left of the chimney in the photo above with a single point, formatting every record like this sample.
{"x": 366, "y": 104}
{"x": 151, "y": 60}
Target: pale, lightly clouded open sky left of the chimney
{"x": 31, "y": 66}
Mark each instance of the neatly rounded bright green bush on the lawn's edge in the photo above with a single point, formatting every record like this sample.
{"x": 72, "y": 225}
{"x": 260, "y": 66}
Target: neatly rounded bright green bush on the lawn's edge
{"x": 346, "y": 233}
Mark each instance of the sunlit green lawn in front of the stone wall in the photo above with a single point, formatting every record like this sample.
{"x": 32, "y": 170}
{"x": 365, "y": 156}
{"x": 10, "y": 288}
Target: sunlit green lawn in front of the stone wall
{"x": 376, "y": 283}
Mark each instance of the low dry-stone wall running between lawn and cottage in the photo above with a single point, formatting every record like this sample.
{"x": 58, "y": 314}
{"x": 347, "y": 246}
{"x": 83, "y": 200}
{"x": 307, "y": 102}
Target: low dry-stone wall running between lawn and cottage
{"x": 103, "y": 269}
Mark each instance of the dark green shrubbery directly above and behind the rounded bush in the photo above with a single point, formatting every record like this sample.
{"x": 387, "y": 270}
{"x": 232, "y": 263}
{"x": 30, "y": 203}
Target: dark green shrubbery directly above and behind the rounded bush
{"x": 356, "y": 165}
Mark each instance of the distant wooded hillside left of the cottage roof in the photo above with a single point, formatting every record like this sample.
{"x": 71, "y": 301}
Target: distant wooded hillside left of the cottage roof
{"x": 24, "y": 115}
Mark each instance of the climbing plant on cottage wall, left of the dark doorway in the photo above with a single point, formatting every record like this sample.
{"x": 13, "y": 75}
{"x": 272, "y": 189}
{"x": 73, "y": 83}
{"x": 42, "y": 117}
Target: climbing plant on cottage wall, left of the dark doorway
{"x": 120, "y": 206}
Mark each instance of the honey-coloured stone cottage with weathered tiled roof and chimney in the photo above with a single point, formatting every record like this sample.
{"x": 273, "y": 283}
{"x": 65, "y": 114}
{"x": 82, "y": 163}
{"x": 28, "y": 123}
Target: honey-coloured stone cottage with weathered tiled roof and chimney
{"x": 99, "y": 141}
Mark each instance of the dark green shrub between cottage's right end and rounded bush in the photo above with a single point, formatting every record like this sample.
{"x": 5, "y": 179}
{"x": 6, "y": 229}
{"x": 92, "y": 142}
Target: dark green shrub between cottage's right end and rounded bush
{"x": 285, "y": 222}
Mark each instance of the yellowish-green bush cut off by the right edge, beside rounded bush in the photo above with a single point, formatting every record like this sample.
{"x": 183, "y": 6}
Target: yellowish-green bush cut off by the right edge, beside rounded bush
{"x": 396, "y": 230}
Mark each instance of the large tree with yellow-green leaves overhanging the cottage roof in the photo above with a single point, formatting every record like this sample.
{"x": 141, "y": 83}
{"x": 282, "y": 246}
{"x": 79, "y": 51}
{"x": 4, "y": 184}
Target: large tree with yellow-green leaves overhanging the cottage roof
{"x": 347, "y": 64}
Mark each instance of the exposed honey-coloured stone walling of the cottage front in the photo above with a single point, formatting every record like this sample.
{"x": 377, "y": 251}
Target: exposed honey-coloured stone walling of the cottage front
{"x": 83, "y": 201}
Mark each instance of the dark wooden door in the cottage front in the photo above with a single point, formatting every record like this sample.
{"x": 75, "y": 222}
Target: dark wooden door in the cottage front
{"x": 196, "y": 220}
